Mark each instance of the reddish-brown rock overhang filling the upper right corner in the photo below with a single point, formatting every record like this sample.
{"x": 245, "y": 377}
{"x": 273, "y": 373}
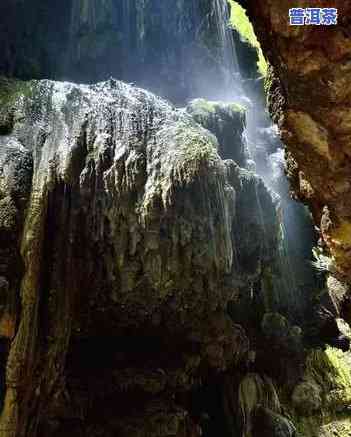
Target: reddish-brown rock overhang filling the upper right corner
{"x": 310, "y": 100}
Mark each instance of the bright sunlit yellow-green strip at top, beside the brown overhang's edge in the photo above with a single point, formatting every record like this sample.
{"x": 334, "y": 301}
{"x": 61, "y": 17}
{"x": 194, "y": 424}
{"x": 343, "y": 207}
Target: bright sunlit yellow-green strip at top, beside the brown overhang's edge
{"x": 241, "y": 23}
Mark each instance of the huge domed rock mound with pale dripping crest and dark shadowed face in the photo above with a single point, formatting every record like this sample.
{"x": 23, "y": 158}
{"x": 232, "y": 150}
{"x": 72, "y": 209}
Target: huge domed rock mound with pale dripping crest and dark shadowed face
{"x": 124, "y": 241}
